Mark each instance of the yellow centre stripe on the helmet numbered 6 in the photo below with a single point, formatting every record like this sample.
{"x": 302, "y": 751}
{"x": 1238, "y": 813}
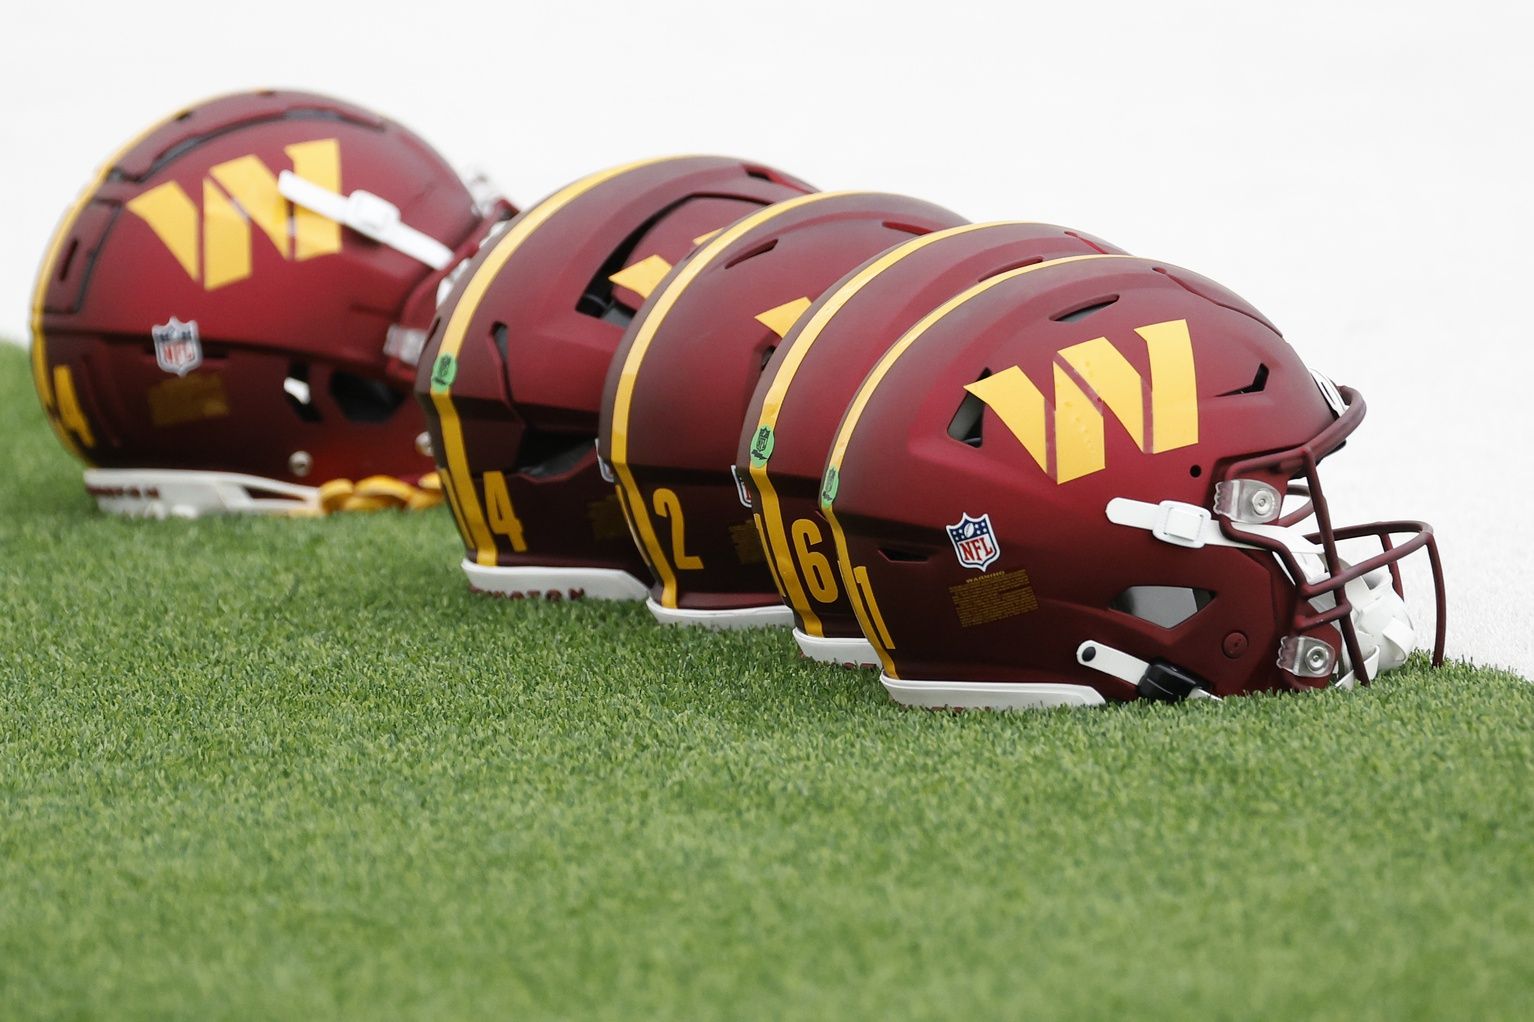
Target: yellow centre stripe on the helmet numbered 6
{"x": 780, "y": 550}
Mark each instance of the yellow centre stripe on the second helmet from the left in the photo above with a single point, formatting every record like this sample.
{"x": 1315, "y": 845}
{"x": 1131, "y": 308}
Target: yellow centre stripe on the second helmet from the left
{"x": 459, "y": 478}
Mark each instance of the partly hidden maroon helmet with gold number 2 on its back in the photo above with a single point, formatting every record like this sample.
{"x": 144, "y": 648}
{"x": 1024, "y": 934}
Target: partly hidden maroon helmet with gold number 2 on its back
{"x": 679, "y": 389}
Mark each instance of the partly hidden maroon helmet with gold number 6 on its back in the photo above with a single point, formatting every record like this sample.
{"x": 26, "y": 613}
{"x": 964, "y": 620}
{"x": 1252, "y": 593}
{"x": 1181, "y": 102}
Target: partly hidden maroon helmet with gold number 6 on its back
{"x": 814, "y": 375}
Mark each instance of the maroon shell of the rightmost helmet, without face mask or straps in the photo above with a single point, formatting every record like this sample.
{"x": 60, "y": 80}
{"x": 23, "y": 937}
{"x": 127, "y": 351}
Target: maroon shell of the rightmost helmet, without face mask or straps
{"x": 921, "y": 463}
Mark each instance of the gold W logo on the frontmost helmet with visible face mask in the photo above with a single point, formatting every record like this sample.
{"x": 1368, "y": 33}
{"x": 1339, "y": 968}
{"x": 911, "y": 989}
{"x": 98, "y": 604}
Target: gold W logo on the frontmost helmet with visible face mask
{"x": 1095, "y": 375}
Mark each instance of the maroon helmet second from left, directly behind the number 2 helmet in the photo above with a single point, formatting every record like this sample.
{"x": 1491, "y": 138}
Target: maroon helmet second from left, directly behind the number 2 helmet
{"x": 513, "y": 372}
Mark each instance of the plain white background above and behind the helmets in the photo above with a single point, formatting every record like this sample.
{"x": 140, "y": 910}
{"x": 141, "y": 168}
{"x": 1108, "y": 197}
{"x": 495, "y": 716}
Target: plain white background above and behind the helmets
{"x": 1358, "y": 171}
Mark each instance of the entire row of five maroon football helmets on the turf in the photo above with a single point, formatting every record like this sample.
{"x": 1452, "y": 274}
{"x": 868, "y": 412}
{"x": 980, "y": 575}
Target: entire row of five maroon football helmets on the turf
{"x": 1007, "y": 464}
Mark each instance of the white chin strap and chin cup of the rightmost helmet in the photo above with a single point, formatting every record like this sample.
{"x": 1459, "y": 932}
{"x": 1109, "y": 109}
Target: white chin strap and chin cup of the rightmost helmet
{"x": 1380, "y": 616}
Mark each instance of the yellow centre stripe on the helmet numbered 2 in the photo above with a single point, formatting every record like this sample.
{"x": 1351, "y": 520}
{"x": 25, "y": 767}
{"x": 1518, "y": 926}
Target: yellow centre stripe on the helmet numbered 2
{"x": 663, "y": 303}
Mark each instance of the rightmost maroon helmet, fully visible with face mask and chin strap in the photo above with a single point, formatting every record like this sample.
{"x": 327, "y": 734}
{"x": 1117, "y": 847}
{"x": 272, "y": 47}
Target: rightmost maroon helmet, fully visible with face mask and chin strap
{"x": 1068, "y": 486}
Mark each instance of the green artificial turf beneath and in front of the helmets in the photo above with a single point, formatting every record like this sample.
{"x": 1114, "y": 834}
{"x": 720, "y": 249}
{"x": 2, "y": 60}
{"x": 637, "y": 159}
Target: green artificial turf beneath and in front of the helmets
{"x": 257, "y": 770}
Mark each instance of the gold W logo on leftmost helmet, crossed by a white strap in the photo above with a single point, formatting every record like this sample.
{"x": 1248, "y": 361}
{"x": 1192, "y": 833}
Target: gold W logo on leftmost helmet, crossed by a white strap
{"x": 214, "y": 245}
